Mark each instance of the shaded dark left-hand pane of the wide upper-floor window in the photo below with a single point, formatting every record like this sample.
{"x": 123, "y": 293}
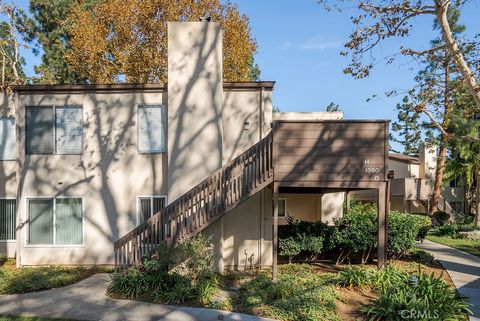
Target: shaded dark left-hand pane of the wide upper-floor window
{"x": 39, "y": 130}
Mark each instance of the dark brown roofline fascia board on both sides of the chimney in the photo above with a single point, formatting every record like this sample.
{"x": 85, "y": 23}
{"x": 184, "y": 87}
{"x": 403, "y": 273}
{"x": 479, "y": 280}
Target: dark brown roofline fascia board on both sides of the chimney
{"x": 129, "y": 87}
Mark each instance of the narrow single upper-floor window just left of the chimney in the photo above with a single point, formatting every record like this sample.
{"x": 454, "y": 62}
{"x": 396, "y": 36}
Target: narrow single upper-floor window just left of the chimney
{"x": 151, "y": 129}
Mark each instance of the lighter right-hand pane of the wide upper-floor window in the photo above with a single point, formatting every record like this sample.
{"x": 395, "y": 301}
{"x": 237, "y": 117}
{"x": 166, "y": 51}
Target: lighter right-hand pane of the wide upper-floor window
{"x": 69, "y": 130}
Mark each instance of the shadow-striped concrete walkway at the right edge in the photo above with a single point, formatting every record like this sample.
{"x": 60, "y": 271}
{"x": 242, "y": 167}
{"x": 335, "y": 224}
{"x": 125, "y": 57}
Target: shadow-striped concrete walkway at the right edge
{"x": 463, "y": 268}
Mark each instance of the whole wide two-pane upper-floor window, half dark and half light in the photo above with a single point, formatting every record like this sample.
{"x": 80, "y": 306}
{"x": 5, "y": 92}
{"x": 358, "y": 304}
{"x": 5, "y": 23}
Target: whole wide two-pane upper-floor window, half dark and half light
{"x": 52, "y": 130}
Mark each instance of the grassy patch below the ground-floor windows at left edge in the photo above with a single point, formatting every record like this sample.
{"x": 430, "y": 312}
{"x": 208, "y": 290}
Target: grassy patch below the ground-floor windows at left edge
{"x": 31, "y": 279}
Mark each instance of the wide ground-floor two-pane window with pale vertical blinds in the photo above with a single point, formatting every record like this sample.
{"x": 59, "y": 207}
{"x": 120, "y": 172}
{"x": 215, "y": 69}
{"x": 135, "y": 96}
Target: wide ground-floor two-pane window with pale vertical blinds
{"x": 56, "y": 221}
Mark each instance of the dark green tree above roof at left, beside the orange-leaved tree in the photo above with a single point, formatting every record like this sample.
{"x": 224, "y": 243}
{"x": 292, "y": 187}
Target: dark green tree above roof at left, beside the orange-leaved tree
{"x": 50, "y": 32}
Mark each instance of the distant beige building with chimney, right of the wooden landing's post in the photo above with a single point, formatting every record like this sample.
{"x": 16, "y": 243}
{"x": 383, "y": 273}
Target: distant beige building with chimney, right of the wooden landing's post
{"x": 412, "y": 187}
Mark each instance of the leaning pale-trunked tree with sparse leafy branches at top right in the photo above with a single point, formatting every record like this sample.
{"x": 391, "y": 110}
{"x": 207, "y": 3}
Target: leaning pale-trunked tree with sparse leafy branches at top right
{"x": 378, "y": 21}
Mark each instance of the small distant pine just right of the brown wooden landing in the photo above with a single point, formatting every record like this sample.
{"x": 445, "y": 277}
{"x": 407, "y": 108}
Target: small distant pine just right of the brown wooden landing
{"x": 407, "y": 126}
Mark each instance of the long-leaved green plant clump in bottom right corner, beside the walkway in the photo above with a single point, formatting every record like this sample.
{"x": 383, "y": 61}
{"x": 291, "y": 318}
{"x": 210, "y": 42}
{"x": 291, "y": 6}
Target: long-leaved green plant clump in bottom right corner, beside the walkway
{"x": 404, "y": 294}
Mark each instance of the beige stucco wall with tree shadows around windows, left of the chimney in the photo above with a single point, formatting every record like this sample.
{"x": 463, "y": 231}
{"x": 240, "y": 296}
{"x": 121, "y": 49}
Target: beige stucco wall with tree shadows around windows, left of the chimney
{"x": 109, "y": 175}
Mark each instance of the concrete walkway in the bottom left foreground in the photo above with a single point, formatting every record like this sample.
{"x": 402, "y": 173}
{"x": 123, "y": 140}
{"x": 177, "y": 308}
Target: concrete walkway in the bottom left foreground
{"x": 86, "y": 300}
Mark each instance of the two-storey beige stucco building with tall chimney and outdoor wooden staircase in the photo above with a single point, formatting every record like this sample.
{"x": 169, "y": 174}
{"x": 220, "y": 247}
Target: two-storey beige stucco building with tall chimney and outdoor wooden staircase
{"x": 97, "y": 174}
